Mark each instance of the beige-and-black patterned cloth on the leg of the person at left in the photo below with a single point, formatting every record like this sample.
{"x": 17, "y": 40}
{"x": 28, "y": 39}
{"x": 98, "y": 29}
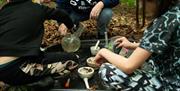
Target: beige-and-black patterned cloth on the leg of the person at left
{"x": 60, "y": 68}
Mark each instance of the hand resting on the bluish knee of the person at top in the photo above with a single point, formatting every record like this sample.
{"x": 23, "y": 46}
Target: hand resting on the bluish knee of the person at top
{"x": 96, "y": 10}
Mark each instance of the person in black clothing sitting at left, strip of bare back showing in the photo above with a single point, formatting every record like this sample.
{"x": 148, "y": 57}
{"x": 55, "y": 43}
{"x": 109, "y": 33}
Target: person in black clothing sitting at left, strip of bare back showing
{"x": 21, "y": 32}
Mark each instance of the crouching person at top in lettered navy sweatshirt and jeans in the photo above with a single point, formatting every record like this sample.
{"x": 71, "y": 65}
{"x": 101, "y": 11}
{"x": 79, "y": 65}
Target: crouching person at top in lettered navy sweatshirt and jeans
{"x": 81, "y": 10}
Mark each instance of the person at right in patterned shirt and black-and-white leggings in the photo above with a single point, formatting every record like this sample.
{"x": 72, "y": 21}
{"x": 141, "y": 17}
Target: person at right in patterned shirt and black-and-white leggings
{"x": 158, "y": 54}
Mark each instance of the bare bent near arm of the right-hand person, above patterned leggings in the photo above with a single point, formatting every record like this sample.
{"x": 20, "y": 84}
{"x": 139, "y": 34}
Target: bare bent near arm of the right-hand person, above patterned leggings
{"x": 127, "y": 65}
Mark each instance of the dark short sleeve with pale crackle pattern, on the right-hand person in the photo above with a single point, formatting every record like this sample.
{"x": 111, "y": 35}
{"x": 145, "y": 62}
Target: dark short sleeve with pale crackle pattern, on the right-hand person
{"x": 158, "y": 35}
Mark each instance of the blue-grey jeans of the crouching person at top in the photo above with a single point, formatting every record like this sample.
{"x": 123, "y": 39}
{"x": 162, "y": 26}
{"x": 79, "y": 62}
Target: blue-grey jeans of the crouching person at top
{"x": 102, "y": 21}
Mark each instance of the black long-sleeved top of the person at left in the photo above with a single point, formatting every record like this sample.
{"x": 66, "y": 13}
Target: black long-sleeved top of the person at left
{"x": 21, "y": 27}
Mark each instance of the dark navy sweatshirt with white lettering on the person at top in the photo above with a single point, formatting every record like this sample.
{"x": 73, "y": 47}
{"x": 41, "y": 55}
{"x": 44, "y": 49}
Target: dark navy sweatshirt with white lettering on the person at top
{"x": 84, "y": 7}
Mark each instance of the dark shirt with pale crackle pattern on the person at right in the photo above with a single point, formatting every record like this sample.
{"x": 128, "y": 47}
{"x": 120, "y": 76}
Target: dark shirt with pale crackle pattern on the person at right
{"x": 162, "y": 38}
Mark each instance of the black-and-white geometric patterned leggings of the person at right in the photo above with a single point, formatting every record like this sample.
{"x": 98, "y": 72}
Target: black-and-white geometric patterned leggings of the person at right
{"x": 118, "y": 80}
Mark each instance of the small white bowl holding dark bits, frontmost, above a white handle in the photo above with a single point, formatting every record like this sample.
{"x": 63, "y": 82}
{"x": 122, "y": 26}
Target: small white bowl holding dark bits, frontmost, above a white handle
{"x": 86, "y": 72}
